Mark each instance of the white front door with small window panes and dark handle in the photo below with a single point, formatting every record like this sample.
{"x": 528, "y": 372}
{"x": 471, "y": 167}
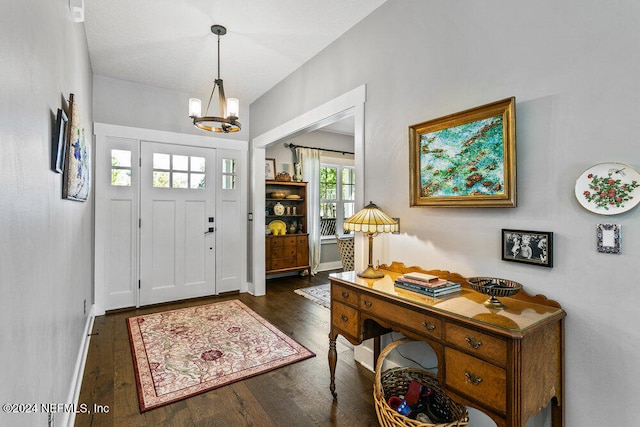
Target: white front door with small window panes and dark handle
{"x": 177, "y": 229}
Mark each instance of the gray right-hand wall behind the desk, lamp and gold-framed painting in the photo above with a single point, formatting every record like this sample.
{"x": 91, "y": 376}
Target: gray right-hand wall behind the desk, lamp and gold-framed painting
{"x": 573, "y": 68}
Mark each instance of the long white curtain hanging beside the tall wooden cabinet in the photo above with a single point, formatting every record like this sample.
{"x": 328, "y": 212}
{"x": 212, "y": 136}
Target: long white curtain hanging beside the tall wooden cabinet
{"x": 310, "y": 160}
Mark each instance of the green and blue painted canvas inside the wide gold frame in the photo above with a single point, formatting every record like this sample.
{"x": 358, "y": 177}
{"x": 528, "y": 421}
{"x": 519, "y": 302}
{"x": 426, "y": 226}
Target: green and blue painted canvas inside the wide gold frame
{"x": 464, "y": 160}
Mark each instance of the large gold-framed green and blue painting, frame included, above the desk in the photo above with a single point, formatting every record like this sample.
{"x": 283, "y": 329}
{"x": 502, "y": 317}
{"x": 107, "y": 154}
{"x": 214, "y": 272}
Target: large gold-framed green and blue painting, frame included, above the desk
{"x": 466, "y": 159}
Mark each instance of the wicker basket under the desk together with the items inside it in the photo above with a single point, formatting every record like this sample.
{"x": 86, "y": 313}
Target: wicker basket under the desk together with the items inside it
{"x": 430, "y": 405}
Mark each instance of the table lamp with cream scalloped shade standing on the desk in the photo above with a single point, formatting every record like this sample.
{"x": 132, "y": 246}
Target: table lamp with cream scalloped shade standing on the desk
{"x": 371, "y": 220}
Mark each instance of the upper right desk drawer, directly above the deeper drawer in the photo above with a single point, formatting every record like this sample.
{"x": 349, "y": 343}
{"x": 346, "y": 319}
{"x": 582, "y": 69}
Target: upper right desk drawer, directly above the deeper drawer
{"x": 477, "y": 343}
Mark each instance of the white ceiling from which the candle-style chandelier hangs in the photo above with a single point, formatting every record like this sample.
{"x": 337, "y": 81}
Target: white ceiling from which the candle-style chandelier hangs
{"x": 169, "y": 44}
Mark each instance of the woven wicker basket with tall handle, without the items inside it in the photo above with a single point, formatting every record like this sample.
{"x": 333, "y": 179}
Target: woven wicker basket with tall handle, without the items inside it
{"x": 394, "y": 382}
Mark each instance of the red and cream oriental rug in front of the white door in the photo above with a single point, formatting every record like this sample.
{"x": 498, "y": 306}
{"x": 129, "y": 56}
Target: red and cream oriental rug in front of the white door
{"x": 181, "y": 353}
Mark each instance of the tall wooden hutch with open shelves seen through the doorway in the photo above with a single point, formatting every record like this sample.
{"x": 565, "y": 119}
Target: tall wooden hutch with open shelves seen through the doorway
{"x": 289, "y": 251}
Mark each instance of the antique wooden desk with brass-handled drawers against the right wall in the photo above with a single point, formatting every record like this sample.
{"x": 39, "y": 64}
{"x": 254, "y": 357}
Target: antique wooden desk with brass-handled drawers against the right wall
{"x": 507, "y": 363}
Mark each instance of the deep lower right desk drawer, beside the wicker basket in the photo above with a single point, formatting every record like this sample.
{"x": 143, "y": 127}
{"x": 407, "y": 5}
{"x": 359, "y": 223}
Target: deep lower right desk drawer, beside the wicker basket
{"x": 480, "y": 380}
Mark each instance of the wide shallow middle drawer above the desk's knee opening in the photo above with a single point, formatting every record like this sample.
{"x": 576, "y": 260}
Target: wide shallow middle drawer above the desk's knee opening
{"x": 422, "y": 323}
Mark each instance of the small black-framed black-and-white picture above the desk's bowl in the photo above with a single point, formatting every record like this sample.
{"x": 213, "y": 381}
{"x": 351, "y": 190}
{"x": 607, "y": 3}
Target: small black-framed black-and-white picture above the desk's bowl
{"x": 529, "y": 247}
